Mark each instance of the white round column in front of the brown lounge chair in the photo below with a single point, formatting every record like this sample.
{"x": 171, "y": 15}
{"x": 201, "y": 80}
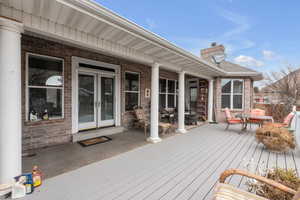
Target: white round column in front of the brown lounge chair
{"x": 154, "y": 129}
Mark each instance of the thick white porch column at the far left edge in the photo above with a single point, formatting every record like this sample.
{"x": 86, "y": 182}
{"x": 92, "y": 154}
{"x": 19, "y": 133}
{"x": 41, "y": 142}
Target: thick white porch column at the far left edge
{"x": 10, "y": 100}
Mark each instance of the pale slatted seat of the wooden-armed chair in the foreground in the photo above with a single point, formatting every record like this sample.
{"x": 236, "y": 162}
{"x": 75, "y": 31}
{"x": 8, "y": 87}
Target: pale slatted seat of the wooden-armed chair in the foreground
{"x": 228, "y": 192}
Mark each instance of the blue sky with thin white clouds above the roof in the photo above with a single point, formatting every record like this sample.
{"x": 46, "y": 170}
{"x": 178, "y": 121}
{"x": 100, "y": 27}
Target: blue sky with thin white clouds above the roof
{"x": 261, "y": 34}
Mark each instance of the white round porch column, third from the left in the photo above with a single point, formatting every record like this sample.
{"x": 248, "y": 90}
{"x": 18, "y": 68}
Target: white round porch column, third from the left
{"x": 181, "y": 103}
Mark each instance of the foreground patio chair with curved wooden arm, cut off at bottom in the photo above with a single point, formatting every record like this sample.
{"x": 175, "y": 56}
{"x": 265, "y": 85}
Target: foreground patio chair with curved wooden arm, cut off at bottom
{"x": 225, "y": 191}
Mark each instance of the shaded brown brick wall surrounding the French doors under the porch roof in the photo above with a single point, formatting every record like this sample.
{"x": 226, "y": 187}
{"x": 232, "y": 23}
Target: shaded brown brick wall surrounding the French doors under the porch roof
{"x": 53, "y": 132}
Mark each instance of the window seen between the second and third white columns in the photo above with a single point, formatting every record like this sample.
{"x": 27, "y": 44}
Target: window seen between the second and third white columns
{"x": 167, "y": 93}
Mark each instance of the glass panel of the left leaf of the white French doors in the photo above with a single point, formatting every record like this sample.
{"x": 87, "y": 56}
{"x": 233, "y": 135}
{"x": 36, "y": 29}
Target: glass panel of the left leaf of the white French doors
{"x": 87, "y": 101}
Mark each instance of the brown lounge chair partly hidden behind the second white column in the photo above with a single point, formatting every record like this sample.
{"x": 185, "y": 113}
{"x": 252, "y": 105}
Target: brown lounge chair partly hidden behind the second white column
{"x": 143, "y": 122}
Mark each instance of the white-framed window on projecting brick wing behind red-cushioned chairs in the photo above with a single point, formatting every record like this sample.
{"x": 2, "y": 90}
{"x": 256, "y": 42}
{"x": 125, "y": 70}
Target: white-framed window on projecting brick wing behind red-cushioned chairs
{"x": 232, "y": 93}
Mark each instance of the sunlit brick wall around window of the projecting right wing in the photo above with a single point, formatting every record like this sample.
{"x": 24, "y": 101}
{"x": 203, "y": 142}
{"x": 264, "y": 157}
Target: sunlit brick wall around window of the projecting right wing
{"x": 248, "y": 95}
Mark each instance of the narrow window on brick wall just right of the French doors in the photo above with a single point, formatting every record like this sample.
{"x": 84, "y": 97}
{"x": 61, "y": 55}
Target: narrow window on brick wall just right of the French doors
{"x": 132, "y": 90}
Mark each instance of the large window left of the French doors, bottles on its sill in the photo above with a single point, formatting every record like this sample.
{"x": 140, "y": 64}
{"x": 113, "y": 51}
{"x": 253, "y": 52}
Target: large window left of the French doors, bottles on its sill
{"x": 45, "y": 87}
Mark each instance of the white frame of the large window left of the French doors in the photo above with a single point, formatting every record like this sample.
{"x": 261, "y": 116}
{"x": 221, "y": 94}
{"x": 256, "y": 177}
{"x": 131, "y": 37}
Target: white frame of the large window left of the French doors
{"x": 45, "y": 87}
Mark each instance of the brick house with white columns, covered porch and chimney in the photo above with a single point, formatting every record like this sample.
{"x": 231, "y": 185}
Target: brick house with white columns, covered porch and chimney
{"x": 86, "y": 67}
